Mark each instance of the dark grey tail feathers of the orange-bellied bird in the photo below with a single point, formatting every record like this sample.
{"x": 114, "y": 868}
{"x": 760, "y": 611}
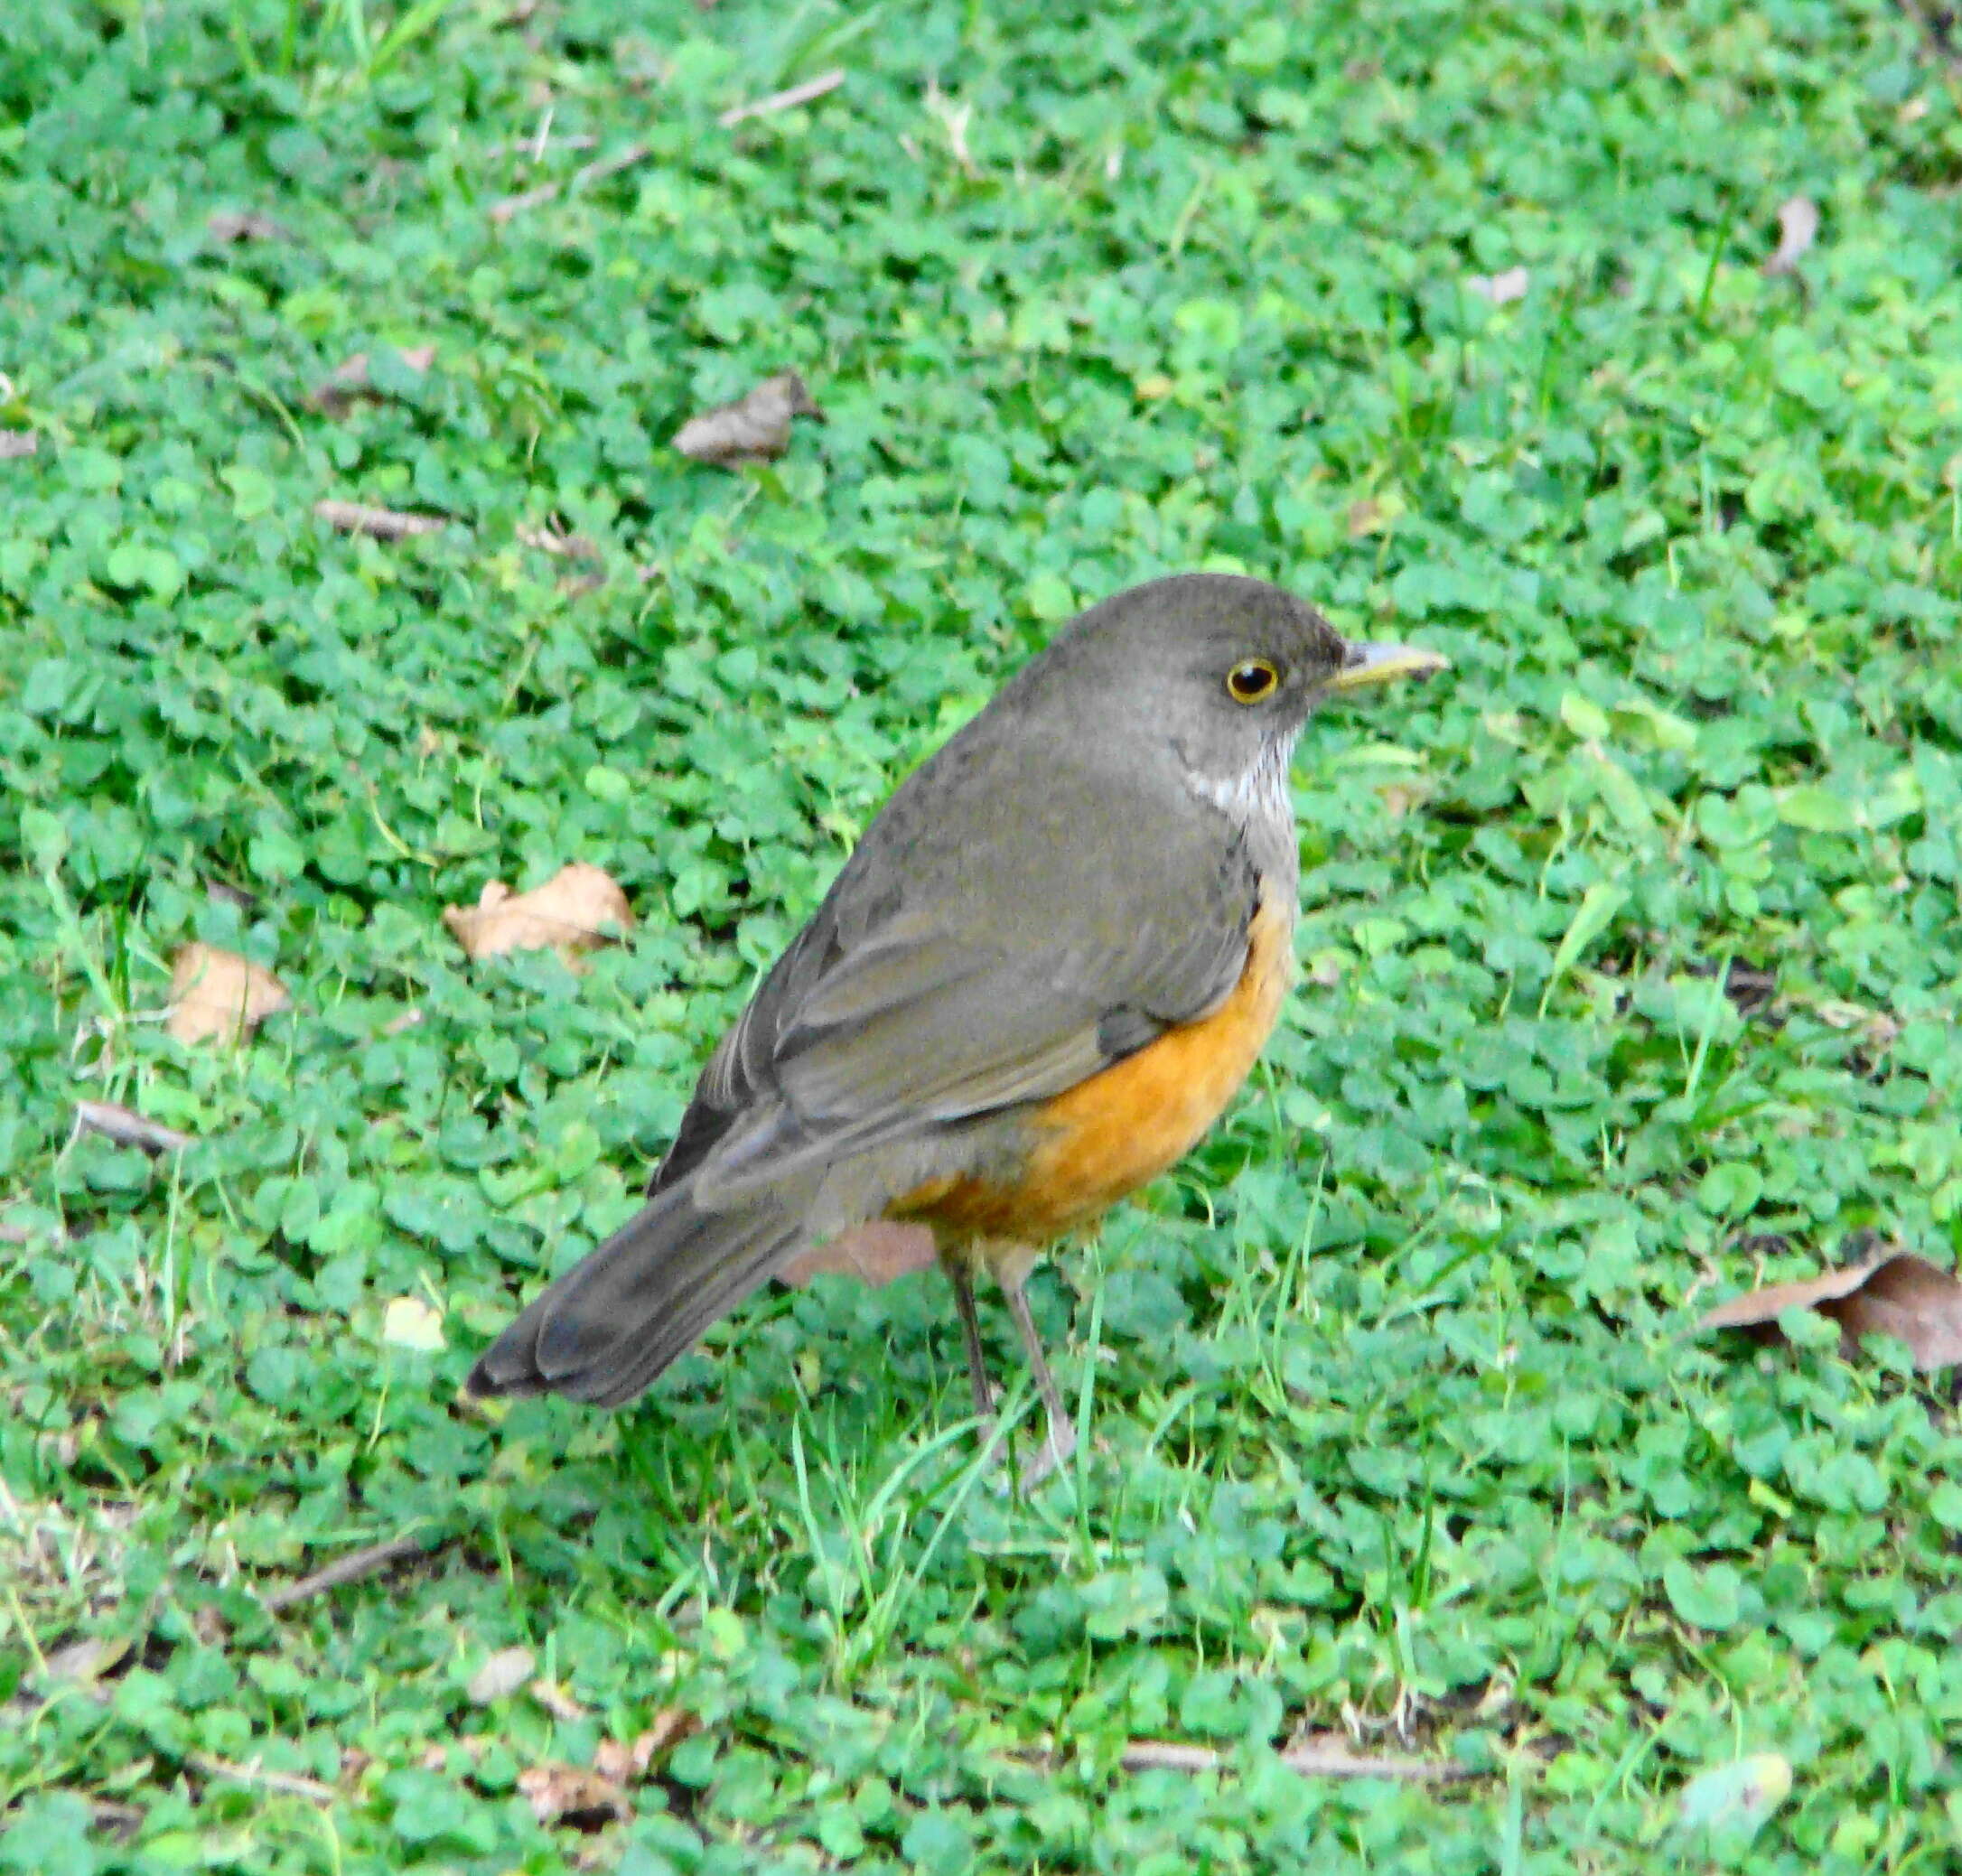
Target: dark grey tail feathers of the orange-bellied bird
{"x": 615, "y": 1322}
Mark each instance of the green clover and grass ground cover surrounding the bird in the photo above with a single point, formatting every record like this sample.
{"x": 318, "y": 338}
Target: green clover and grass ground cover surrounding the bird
{"x": 1396, "y": 1422}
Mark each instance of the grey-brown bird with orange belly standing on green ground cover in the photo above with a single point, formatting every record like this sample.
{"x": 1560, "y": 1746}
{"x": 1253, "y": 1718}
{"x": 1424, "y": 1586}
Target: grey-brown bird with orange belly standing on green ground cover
{"x": 1037, "y": 982}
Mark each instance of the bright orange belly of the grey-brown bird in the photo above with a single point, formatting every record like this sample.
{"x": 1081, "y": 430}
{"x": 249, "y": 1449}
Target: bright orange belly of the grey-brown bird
{"x": 1123, "y": 1127}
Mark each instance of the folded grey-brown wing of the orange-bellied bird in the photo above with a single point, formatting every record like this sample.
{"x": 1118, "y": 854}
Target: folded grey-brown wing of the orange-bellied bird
{"x": 962, "y": 964}
